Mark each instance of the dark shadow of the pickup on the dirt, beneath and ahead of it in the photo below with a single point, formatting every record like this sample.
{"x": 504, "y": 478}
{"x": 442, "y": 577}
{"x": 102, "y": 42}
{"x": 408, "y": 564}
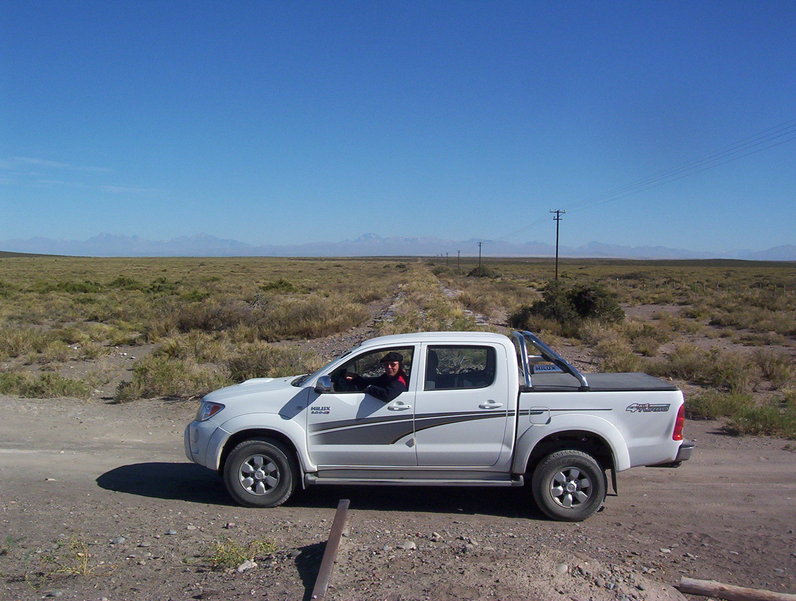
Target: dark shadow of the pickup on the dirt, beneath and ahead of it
{"x": 195, "y": 484}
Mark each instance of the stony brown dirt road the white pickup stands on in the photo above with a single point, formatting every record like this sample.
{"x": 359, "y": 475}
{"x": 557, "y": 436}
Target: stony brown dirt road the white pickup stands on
{"x": 97, "y": 501}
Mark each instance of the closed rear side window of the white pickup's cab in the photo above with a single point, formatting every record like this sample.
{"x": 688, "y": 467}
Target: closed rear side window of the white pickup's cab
{"x": 459, "y": 367}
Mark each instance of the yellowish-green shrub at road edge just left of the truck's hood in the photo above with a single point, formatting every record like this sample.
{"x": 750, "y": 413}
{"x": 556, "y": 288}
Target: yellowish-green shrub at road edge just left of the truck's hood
{"x": 160, "y": 376}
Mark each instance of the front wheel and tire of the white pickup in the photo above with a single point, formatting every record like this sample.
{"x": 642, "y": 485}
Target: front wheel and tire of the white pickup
{"x": 260, "y": 473}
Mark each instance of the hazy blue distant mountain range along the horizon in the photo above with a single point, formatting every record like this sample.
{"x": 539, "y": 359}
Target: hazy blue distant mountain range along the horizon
{"x": 205, "y": 245}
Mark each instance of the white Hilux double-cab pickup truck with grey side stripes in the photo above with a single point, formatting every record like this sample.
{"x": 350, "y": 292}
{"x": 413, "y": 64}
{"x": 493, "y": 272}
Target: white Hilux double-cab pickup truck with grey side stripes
{"x": 479, "y": 409}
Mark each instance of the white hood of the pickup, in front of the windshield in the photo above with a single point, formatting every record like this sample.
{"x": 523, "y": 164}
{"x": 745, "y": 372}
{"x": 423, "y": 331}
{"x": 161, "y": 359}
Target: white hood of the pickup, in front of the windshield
{"x": 256, "y": 395}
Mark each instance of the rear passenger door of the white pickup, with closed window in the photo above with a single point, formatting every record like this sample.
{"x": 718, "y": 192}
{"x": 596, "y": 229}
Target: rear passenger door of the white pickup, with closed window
{"x": 462, "y": 407}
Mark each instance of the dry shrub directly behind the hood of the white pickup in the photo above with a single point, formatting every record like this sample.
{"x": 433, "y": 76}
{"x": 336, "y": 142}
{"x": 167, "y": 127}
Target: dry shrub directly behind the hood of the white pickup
{"x": 261, "y": 360}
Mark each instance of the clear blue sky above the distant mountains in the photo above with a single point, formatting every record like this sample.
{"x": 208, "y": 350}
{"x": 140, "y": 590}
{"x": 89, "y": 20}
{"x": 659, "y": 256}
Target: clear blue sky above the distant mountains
{"x": 290, "y": 122}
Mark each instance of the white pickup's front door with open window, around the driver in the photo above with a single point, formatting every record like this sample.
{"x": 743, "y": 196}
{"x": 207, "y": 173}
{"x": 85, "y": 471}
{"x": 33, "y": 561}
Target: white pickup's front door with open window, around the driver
{"x": 349, "y": 428}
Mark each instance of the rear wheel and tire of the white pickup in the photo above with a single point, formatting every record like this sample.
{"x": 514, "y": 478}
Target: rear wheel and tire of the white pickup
{"x": 569, "y": 485}
